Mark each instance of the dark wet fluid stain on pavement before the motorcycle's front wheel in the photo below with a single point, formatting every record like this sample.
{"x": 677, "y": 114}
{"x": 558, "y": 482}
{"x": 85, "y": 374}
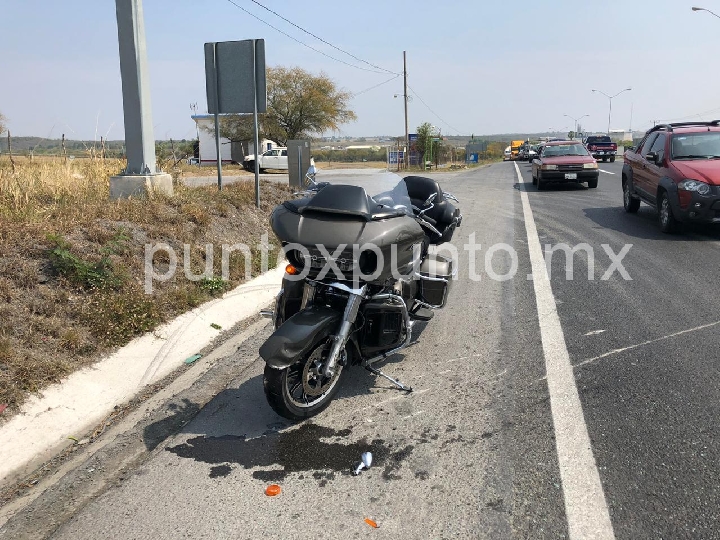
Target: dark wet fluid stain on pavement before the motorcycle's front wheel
{"x": 310, "y": 449}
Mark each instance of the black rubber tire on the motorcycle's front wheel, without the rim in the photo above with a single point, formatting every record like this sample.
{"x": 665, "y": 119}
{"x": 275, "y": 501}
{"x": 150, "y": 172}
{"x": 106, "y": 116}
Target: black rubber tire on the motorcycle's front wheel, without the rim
{"x": 277, "y": 392}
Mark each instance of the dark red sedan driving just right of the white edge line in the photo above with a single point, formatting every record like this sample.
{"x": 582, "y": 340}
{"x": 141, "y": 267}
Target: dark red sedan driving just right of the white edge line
{"x": 564, "y": 161}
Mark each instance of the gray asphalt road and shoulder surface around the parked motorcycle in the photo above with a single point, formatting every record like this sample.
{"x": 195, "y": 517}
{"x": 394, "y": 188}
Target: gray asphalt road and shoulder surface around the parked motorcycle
{"x": 474, "y": 452}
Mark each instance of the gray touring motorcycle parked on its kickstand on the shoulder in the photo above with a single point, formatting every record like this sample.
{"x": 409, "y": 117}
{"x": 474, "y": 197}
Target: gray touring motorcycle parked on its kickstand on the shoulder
{"x": 361, "y": 273}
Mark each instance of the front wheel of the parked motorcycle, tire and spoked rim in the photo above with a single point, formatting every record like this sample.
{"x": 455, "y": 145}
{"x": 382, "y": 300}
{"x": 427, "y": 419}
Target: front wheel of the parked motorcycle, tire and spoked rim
{"x": 301, "y": 390}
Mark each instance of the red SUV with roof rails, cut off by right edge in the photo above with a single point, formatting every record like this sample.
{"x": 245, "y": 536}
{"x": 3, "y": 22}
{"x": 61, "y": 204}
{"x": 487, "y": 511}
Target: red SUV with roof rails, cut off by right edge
{"x": 676, "y": 169}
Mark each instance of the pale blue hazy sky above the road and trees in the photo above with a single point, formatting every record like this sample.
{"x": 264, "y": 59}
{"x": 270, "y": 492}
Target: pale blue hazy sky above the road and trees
{"x": 474, "y": 67}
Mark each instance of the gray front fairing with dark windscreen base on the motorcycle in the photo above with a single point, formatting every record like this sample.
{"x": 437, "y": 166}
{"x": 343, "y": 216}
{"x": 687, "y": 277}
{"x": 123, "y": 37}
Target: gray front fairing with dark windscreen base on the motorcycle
{"x": 345, "y": 215}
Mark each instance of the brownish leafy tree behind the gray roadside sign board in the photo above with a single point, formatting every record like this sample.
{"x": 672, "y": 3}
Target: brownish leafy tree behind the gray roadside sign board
{"x": 300, "y": 105}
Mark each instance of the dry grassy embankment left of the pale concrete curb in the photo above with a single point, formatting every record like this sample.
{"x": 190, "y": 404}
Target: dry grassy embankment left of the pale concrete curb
{"x": 72, "y": 262}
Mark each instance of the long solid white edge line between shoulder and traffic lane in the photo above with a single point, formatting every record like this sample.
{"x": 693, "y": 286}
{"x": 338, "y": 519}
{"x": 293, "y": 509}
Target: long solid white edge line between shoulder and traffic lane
{"x": 586, "y": 510}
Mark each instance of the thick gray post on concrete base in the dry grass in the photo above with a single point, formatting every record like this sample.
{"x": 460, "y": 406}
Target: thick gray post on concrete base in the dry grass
{"x": 141, "y": 175}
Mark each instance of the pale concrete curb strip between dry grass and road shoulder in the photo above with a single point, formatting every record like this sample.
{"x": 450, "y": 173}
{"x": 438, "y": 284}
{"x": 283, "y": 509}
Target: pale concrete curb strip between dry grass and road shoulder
{"x": 70, "y": 408}
